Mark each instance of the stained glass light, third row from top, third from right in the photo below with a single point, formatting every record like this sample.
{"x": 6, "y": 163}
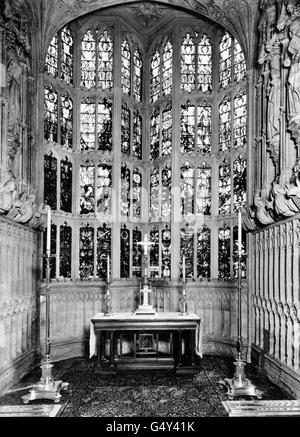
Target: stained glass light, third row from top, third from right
{"x": 204, "y": 189}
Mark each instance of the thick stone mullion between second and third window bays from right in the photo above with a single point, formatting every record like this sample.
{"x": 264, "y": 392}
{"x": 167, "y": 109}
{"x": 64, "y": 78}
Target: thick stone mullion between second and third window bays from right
{"x": 176, "y": 134}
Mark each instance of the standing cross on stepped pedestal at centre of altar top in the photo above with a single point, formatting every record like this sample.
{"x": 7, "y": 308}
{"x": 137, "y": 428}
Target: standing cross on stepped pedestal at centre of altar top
{"x": 145, "y": 292}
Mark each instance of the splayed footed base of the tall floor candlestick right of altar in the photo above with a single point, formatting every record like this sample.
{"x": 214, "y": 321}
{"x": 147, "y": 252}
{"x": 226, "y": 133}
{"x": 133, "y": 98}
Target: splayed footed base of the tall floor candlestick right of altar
{"x": 239, "y": 385}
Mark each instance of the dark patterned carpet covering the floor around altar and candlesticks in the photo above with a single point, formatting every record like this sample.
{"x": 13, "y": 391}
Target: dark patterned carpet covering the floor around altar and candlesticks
{"x": 143, "y": 393}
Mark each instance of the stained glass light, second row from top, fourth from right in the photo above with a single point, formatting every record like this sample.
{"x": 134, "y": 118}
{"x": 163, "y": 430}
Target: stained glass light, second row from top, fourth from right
{"x": 187, "y": 142}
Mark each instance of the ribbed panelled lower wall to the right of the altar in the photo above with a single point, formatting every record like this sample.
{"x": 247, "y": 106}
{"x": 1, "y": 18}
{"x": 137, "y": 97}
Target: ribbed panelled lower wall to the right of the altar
{"x": 276, "y": 300}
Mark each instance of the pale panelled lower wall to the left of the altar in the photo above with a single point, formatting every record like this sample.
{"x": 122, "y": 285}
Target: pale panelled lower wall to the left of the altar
{"x": 18, "y": 309}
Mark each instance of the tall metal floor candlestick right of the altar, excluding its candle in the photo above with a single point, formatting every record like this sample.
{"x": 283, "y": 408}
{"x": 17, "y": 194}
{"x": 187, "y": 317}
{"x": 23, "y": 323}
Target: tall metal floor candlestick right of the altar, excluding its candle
{"x": 239, "y": 385}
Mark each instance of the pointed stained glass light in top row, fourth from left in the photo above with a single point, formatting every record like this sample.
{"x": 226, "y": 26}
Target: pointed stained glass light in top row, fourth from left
{"x": 105, "y": 61}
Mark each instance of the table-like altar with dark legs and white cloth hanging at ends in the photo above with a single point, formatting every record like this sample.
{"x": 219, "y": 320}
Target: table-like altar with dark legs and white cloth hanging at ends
{"x": 145, "y": 332}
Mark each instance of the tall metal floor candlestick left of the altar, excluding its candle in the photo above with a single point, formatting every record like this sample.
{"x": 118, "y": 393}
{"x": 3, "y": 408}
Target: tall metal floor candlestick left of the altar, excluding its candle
{"x": 47, "y": 388}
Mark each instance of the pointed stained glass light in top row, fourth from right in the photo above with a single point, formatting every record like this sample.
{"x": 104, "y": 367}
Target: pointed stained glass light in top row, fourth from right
{"x": 188, "y": 64}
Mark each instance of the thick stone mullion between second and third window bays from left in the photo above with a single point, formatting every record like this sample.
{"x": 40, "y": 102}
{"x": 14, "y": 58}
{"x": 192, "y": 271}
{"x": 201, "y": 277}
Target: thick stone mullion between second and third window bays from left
{"x": 116, "y": 156}
